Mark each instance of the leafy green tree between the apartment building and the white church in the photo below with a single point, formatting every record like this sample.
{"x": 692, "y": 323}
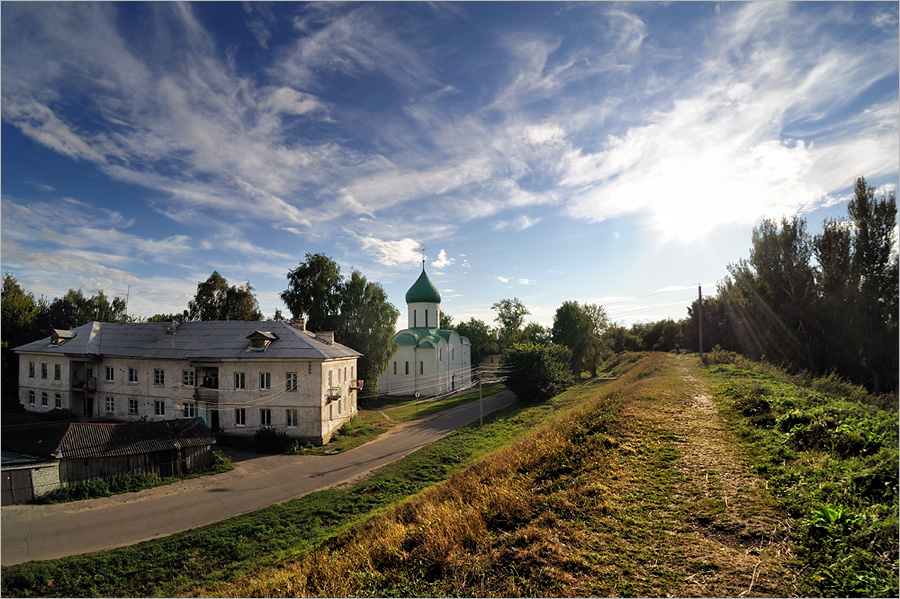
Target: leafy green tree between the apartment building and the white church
{"x": 366, "y": 323}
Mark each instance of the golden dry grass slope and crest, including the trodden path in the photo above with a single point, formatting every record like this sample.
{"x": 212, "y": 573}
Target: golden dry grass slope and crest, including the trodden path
{"x": 635, "y": 492}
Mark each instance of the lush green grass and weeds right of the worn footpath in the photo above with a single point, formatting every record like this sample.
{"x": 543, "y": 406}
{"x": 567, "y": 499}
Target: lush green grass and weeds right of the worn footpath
{"x": 832, "y": 460}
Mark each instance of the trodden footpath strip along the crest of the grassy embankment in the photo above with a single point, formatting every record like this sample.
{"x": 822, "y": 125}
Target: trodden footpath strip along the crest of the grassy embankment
{"x": 696, "y": 489}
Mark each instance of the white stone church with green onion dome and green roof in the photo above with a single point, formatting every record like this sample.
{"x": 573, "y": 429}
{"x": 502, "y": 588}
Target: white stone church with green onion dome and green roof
{"x": 428, "y": 360}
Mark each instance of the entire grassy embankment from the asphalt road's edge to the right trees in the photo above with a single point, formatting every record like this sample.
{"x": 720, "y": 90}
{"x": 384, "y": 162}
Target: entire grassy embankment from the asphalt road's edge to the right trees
{"x": 730, "y": 479}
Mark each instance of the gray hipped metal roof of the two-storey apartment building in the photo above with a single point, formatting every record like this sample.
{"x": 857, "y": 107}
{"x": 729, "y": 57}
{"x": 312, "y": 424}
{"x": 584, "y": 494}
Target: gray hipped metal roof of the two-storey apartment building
{"x": 192, "y": 340}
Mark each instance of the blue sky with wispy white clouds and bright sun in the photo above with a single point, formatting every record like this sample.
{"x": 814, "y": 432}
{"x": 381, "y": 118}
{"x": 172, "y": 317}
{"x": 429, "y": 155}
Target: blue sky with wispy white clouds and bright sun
{"x": 607, "y": 153}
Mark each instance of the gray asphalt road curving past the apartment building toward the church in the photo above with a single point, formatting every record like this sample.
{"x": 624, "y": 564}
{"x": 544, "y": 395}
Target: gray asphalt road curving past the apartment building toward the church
{"x": 40, "y": 532}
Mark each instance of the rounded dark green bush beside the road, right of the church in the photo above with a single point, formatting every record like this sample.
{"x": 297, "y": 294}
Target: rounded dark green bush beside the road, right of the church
{"x": 537, "y": 372}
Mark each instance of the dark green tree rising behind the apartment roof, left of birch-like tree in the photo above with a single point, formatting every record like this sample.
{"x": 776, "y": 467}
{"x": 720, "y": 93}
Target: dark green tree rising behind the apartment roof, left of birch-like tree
{"x": 314, "y": 290}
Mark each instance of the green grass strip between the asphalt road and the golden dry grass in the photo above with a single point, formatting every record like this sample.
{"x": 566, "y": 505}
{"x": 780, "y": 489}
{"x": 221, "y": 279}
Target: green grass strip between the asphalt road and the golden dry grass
{"x": 235, "y": 548}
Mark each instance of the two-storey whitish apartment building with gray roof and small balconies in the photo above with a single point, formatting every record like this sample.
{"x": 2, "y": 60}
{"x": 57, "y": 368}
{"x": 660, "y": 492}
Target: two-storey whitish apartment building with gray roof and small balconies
{"x": 236, "y": 375}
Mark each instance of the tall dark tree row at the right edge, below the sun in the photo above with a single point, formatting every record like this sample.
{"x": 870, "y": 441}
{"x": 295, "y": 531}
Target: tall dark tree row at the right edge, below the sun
{"x": 823, "y": 303}
